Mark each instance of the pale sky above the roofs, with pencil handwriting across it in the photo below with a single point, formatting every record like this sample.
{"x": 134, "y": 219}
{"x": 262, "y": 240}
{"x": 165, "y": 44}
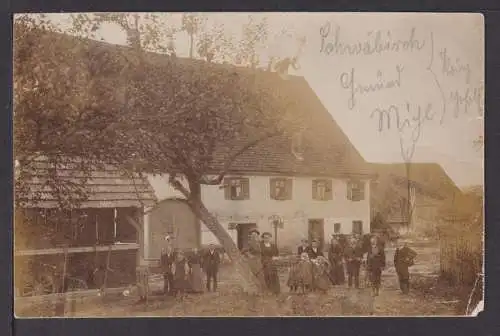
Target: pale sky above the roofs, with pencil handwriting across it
{"x": 426, "y": 68}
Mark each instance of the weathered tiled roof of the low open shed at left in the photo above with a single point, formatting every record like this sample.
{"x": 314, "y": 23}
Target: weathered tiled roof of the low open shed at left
{"x": 107, "y": 186}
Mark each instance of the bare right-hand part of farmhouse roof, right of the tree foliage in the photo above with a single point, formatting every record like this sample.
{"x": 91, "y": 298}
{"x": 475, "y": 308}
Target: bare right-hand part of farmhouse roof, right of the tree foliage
{"x": 326, "y": 150}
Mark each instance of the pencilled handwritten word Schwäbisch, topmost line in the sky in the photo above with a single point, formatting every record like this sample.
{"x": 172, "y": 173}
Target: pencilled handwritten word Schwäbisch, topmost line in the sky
{"x": 377, "y": 42}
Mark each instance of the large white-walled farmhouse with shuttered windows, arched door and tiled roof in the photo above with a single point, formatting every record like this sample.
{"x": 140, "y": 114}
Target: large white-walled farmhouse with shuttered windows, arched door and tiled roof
{"x": 311, "y": 184}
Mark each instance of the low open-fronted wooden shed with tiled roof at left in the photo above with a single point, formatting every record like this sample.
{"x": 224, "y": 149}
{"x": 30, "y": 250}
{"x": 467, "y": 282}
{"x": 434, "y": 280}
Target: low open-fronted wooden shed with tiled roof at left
{"x": 96, "y": 244}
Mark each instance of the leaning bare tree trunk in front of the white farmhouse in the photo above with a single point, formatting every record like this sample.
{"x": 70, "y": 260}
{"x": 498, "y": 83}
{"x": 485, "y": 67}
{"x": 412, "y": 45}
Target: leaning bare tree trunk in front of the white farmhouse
{"x": 251, "y": 283}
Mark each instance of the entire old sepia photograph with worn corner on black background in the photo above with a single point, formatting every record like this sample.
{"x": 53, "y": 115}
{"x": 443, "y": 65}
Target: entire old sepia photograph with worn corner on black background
{"x": 248, "y": 164}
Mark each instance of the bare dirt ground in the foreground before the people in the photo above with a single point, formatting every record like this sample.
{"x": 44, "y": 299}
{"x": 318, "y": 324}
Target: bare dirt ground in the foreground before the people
{"x": 230, "y": 300}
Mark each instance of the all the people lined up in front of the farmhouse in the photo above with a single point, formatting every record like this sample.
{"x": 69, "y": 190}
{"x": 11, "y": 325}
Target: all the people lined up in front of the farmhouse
{"x": 311, "y": 270}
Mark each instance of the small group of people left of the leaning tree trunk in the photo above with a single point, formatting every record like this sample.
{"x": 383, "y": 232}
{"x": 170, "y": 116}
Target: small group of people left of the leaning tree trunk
{"x": 183, "y": 272}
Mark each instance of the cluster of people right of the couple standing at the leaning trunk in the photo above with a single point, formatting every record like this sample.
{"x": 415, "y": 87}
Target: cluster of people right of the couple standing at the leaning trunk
{"x": 315, "y": 271}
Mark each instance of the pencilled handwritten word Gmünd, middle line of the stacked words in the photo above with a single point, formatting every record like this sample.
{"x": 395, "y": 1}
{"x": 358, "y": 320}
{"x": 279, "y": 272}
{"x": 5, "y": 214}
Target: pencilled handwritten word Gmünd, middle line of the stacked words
{"x": 348, "y": 82}
